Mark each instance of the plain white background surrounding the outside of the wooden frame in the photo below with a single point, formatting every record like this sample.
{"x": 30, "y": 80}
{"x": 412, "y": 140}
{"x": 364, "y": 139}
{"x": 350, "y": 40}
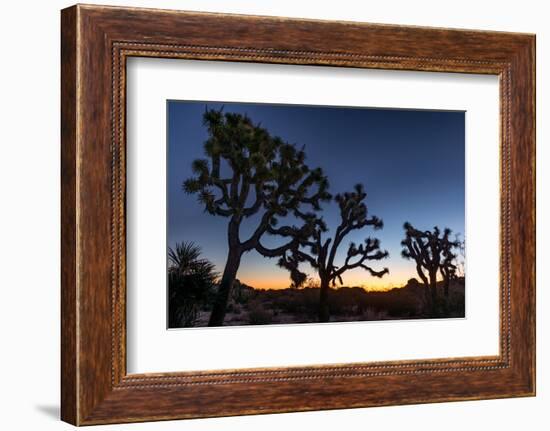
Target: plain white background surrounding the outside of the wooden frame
{"x": 29, "y": 216}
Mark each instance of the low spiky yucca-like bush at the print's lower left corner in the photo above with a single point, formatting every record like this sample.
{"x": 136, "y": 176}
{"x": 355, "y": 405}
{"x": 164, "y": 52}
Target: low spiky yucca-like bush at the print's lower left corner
{"x": 191, "y": 282}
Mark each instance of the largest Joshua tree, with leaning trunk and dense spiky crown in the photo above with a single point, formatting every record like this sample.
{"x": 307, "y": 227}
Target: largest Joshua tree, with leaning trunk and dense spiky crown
{"x": 249, "y": 172}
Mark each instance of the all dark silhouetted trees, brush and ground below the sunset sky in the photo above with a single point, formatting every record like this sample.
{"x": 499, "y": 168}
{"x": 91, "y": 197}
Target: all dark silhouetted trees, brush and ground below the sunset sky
{"x": 250, "y": 174}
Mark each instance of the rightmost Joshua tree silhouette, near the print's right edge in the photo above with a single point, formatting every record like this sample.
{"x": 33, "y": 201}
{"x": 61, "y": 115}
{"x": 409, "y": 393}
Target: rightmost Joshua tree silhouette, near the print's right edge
{"x": 432, "y": 251}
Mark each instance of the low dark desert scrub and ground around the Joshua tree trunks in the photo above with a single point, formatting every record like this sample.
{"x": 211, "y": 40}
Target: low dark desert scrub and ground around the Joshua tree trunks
{"x": 347, "y": 304}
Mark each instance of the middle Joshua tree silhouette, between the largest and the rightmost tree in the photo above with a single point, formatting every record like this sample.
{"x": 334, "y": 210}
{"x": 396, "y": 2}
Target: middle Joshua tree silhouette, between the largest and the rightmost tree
{"x": 322, "y": 252}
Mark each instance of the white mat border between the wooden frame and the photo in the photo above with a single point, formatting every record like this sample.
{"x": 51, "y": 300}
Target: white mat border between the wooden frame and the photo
{"x": 151, "y": 348}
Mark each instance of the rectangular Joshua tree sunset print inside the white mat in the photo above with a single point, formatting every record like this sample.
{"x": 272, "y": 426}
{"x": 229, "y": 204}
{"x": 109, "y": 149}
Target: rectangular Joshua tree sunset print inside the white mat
{"x": 289, "y": 214}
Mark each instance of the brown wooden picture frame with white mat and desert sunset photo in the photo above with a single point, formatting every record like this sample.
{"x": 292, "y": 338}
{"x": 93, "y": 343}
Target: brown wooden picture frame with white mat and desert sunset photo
{"x": 322, "y": 214}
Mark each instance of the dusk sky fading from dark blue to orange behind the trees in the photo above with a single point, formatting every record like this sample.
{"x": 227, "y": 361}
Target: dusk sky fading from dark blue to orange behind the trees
{"x": 410, "y": 162}
